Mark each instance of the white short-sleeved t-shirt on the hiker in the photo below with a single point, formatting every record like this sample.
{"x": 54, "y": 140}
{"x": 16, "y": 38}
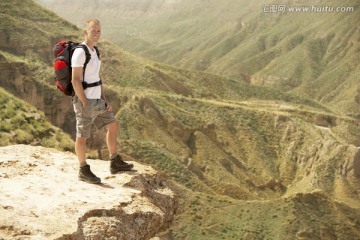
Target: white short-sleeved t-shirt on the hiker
{"x": 92, "y": 71}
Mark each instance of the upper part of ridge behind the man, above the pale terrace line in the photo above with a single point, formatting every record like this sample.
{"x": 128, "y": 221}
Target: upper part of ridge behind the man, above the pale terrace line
{"x": 27, "y": 64}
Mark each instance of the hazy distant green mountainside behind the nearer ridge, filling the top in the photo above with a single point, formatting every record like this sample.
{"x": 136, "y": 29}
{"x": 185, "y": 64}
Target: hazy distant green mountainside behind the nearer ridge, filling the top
{"x": 311, "y": 53}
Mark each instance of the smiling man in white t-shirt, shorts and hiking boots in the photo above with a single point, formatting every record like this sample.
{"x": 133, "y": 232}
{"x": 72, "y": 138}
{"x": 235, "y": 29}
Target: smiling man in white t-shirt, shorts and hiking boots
{"x": 90, "y": 104}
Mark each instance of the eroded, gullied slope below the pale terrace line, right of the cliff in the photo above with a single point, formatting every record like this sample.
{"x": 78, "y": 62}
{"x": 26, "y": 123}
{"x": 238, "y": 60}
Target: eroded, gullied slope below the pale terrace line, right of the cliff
{"x": 259, "y": 169}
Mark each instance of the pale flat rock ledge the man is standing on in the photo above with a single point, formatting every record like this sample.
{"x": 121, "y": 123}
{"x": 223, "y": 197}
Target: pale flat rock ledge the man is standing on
{"x": 41, "y": 198}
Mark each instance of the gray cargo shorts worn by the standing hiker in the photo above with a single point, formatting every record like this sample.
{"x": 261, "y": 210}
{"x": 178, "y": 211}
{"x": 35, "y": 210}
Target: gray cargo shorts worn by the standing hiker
{"x": 93, "y": 115}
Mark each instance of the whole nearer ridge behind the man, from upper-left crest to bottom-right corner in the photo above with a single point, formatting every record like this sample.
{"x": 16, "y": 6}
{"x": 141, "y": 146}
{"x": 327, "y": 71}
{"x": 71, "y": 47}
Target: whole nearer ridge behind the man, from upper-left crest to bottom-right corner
{"x": 248, "y": 162}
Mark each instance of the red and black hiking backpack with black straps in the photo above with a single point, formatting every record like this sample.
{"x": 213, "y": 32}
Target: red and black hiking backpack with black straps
{"x": 63, "y": 52}
